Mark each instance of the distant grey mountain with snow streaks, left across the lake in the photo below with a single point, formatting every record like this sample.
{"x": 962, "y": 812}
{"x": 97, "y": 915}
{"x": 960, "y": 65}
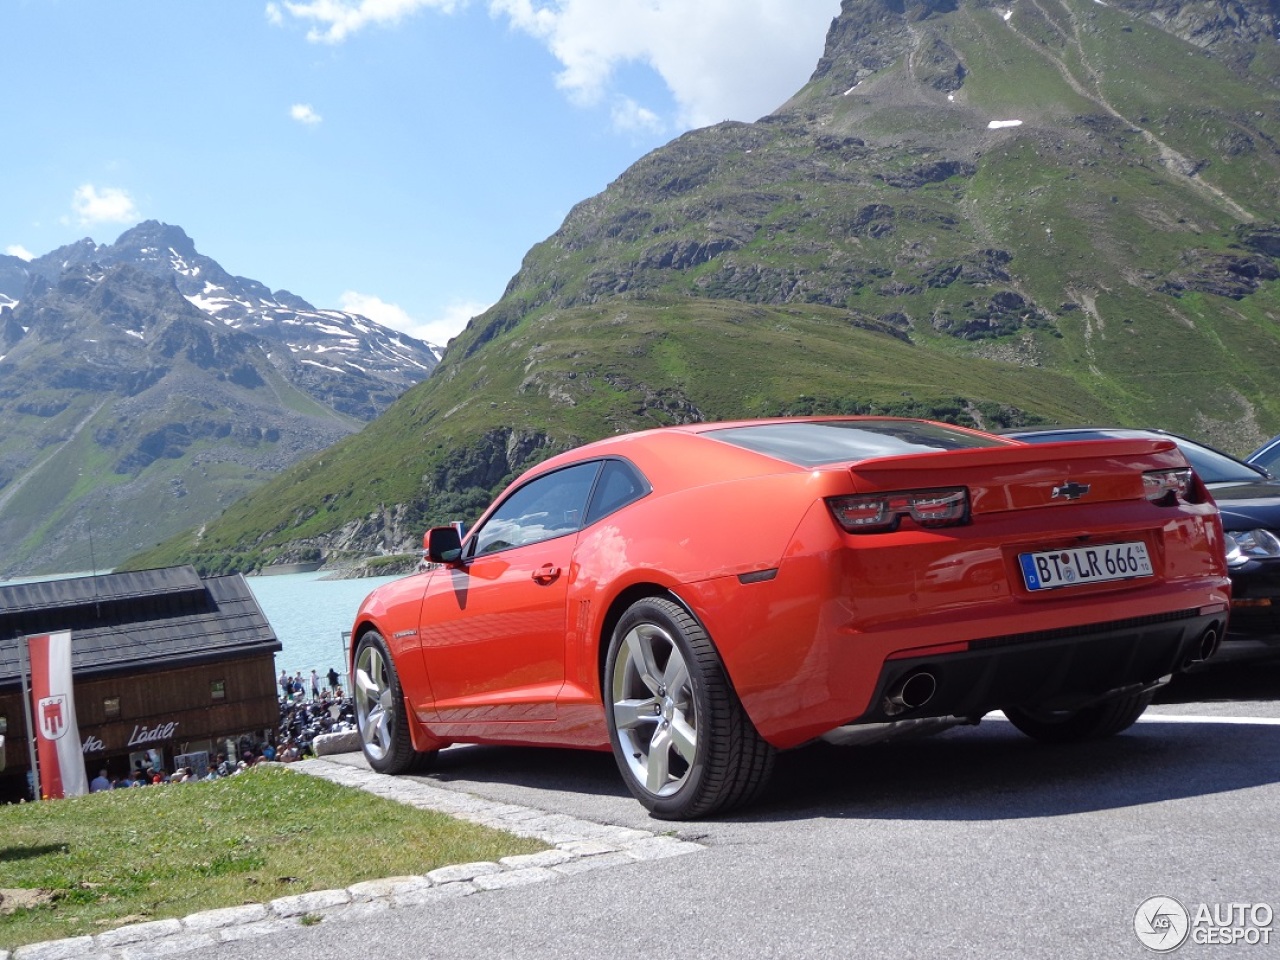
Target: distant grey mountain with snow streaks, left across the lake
{"x": 144, "y": 390}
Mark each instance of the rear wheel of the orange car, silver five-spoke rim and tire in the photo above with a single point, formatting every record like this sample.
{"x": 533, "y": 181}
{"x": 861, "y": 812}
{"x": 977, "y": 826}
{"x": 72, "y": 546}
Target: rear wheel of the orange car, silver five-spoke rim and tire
{"x": 680, "y": 735}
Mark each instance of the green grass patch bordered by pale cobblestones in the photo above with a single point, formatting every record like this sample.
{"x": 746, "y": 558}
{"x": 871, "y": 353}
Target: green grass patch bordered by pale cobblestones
{"x": 154, "y": 853}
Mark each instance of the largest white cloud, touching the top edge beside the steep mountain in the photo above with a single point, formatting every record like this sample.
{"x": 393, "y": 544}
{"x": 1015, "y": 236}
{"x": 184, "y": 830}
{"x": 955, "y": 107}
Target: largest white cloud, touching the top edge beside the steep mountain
{"x": 721, "y": 60}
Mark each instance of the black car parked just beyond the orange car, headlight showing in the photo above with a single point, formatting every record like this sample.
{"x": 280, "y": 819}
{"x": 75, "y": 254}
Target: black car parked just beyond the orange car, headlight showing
{"x": 1249, "y": 497}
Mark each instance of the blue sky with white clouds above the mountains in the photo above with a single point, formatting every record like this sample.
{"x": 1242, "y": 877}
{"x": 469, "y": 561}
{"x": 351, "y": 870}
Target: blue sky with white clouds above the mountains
{"x": 396, "y": 158}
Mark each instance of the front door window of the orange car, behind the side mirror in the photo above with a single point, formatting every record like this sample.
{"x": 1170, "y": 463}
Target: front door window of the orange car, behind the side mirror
{"x": 550, "y": 506}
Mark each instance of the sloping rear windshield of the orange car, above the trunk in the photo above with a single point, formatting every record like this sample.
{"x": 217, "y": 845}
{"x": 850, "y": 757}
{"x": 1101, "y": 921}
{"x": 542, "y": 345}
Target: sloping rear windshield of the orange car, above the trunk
{"x": 810, "y": 445}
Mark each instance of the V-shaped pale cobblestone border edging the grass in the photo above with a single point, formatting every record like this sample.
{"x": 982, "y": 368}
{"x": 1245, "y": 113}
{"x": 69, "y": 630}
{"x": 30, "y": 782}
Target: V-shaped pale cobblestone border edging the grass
{"x": 579, "y": 847}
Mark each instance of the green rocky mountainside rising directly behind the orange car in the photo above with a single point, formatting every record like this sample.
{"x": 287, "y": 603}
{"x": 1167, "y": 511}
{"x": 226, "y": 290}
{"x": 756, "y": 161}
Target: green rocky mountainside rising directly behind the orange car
{"x": 988, "y": 212}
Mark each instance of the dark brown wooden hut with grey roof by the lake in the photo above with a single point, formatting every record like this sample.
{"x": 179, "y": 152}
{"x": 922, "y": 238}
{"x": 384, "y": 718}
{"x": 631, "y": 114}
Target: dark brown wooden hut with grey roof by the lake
{"x": 168, "y": 669}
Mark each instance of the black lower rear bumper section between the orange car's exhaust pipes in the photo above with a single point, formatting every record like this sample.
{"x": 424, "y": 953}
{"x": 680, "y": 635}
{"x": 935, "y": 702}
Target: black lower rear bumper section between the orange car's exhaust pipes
{"x": 1058, "y": 670}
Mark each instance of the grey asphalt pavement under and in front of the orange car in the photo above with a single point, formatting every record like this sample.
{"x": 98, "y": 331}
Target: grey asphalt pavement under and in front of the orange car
{"x": 973, "y": 844}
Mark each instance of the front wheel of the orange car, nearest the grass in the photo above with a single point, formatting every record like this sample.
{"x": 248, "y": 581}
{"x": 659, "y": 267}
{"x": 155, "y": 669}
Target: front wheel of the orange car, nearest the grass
{"x": 381, "y": 716}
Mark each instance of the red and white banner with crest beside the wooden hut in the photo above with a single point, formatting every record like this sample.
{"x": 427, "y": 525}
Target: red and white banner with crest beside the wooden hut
{"x": 53, "y": 705}
